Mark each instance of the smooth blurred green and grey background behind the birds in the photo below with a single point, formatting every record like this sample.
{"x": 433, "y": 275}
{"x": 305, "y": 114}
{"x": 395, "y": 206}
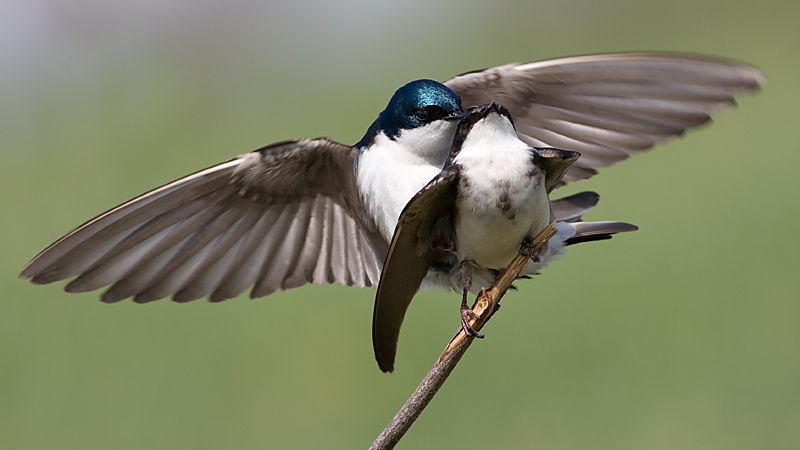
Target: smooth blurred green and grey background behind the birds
{"x": 683, "y": 335}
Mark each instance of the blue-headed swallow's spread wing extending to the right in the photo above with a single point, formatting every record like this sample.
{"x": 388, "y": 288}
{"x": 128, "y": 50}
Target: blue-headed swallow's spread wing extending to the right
{"x": 608, "y": 107}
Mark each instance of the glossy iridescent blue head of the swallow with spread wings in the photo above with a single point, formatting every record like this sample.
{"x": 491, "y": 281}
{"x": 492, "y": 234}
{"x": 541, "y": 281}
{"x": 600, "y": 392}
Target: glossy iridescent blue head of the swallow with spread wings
{"x": 416, "y": 104}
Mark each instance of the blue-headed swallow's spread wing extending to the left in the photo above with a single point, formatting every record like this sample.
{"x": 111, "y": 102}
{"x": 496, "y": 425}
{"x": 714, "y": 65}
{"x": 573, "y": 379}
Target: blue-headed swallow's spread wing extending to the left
{"x": 276, "y": 218}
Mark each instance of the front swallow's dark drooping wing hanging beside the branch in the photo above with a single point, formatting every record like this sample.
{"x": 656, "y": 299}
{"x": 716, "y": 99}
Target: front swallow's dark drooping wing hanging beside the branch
{"x": 411, "y": 253}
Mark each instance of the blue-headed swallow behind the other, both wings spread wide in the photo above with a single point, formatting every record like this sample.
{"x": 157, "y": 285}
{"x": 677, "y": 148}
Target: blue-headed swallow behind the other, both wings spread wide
{"x": 319, "y": 211}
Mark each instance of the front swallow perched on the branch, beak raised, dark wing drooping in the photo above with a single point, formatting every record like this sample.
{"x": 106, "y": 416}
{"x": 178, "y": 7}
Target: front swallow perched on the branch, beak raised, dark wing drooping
{"x": 472, "y": 219}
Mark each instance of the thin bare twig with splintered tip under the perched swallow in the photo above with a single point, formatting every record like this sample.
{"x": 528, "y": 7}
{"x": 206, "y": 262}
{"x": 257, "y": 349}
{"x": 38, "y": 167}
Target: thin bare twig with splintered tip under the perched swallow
{"x": 485, "y": 306}
